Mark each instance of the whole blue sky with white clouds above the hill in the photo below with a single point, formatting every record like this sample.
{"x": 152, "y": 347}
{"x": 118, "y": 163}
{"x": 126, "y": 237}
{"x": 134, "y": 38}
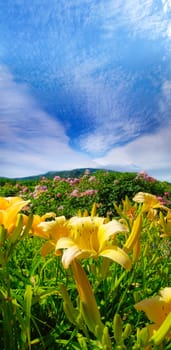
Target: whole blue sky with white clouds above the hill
{"x": 85, "y": 83}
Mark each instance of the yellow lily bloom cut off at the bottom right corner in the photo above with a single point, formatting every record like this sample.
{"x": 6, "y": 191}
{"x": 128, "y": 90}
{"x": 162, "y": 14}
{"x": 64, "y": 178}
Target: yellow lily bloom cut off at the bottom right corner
{"x": 157, "y": 309}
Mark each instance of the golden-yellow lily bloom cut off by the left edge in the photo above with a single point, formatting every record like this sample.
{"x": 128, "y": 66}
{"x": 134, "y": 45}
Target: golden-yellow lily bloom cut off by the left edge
{"x": 9, "y": 209}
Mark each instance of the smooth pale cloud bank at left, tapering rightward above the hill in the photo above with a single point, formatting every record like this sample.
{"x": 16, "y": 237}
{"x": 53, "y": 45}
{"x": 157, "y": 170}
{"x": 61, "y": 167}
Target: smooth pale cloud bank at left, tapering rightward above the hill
{"x": 32, "y": 141}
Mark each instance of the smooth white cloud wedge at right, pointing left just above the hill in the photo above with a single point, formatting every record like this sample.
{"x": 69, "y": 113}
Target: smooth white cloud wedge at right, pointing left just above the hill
{"x": 149, "y": 152}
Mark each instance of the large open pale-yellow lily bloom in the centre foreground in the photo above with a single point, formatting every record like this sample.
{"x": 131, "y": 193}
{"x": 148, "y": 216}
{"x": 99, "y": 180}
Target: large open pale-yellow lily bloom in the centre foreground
{"x": 91, "y": 237}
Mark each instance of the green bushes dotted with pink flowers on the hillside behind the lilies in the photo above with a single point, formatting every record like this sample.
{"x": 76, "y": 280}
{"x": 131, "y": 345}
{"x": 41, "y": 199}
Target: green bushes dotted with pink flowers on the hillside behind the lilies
{"x": 67, "y": 195}
